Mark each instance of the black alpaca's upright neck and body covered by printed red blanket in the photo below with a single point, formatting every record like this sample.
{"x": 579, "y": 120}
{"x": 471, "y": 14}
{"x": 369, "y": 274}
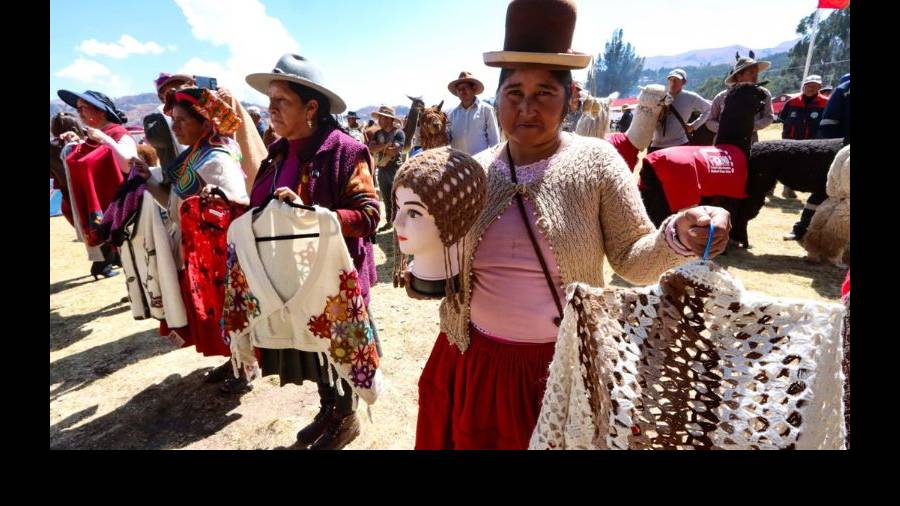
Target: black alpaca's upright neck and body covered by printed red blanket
{"x": 685, "y": 176}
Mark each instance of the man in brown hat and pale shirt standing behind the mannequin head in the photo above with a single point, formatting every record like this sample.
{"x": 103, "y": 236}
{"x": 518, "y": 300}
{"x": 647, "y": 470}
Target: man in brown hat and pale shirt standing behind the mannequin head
{"x": 473, "y": 125}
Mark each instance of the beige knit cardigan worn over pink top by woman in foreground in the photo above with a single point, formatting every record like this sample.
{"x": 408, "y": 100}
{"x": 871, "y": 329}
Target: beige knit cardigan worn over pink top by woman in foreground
{"x": 587, "y": 206}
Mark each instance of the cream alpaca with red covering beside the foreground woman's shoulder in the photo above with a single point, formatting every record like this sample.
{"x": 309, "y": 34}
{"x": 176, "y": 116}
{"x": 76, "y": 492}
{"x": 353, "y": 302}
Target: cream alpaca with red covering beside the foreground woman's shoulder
{"x": 651, "y": 101}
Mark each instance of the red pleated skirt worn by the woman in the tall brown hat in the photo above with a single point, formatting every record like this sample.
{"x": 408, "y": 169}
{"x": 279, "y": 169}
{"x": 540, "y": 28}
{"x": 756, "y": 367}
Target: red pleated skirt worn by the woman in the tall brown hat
{"x": 488, "y": 398}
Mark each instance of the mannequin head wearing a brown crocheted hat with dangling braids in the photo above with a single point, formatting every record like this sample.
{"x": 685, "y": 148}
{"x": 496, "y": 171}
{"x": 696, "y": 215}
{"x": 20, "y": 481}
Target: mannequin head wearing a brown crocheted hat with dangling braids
{"x": 437, "y": 196}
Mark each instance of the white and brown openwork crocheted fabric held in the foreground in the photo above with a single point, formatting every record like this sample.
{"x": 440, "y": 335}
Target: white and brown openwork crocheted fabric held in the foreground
{"x": 694, "y": 362}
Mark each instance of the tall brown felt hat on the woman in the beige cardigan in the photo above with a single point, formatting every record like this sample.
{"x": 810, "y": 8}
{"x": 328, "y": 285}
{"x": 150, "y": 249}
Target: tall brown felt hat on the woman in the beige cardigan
{"x": 539, "y": 35}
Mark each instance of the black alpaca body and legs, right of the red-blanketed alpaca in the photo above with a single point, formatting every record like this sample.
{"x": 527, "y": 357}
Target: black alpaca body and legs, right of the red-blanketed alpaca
{"x": 801, "y": 165}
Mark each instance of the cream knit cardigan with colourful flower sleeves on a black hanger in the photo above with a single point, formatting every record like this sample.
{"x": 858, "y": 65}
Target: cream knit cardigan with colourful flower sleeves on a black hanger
{"x": 300, "y": 293}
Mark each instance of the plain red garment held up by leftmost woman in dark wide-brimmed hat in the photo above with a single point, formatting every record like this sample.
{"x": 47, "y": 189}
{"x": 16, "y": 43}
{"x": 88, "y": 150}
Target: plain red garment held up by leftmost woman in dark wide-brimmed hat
{"x": 95, "y": 178}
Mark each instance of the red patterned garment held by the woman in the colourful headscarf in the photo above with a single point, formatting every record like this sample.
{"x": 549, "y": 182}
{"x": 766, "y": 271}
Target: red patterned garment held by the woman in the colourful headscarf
{"x": 204, "y": 226}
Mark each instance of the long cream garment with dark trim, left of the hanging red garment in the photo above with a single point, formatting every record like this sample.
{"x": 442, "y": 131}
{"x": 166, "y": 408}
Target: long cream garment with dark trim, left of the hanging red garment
{"x": 149, "y": 263}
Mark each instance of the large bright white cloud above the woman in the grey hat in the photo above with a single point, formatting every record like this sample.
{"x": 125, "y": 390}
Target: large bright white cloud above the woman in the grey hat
{"x": 254, "y": 40}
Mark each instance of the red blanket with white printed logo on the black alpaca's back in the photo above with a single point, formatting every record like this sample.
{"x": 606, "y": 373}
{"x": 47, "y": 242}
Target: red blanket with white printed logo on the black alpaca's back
{"x": 688, "y": 173}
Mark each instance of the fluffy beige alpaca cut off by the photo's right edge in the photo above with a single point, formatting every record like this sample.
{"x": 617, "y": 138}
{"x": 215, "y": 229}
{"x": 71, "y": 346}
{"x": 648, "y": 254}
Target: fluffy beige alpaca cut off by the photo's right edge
{"x": 829, "y": 231}
